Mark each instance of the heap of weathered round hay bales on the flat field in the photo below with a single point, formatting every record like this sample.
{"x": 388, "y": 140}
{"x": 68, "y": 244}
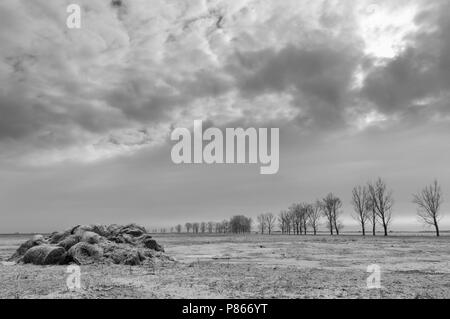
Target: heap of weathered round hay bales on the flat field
{"x": 88, "y": 244}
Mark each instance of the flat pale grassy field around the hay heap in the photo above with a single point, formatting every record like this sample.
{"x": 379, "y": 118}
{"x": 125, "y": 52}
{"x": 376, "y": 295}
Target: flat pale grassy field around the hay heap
{"x": 252, "y": 266}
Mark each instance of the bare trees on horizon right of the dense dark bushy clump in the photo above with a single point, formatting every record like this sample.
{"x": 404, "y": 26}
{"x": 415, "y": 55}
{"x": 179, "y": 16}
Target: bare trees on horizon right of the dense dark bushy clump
{"x": 372, "y": 203}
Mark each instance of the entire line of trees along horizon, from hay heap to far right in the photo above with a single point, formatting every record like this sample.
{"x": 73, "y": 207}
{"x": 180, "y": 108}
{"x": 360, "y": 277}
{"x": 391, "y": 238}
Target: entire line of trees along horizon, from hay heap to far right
{"x": 372, "y": 206}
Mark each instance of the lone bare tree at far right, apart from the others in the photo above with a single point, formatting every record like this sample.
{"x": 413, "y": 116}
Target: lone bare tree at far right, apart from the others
{"x": 429, "y": 201}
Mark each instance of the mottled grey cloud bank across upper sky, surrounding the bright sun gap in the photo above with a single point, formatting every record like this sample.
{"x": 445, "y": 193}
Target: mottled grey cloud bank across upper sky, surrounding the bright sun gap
{"x": 122, "y": 73}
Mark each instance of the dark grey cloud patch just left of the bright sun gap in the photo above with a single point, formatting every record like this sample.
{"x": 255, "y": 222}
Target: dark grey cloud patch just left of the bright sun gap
{"x": 319, "y": 78}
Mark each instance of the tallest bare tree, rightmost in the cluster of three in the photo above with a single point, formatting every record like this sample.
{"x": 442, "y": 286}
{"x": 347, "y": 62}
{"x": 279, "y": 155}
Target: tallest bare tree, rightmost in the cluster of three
{"x": 382, "y": 201}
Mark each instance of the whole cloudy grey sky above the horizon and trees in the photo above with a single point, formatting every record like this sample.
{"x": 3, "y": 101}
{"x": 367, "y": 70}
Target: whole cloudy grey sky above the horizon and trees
{"x": 359, "y": 89}
